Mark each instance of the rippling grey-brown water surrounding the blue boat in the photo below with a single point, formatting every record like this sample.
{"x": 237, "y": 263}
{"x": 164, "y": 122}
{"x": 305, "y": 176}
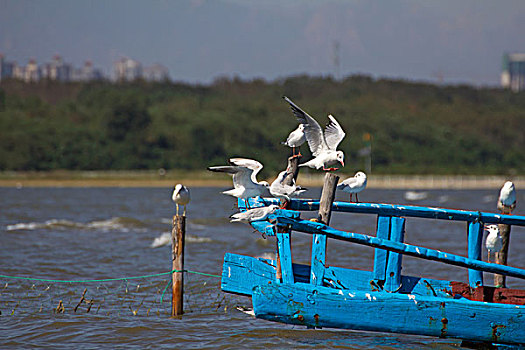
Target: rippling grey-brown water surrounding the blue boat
{"x": 80, "y": 234}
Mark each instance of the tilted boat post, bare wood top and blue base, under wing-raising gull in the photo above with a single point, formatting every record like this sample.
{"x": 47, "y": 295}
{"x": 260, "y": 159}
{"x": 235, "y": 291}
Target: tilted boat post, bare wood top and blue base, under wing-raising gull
{"x": 319, "y": 240}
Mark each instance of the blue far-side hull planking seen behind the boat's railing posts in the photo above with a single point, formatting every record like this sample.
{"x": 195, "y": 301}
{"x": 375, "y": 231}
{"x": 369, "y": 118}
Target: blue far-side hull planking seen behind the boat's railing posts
{"x": 241, "y": 274}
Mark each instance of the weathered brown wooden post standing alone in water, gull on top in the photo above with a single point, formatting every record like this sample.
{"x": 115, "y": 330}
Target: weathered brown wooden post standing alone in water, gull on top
{"x": 177, "y": 248}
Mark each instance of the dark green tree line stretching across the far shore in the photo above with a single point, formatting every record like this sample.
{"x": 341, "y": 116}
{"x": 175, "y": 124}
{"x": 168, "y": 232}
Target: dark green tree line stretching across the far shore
{"x": 416, "y": 128}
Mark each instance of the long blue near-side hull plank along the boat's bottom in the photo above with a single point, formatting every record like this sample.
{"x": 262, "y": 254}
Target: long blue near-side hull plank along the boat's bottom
{"x": 316, "y": 306}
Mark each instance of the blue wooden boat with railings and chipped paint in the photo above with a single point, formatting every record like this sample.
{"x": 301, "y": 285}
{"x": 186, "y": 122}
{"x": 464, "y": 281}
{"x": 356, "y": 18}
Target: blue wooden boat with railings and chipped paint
{"x": 381, "y": 300}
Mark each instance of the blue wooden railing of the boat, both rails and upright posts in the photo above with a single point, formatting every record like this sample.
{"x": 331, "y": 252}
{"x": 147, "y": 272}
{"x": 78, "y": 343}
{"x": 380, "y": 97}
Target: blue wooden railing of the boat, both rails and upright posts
{"x": 388, "y": 241}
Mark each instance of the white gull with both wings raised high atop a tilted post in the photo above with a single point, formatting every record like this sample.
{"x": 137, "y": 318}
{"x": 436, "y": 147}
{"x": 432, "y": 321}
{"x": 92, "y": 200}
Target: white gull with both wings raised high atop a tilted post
{"x": 322, "y": 145}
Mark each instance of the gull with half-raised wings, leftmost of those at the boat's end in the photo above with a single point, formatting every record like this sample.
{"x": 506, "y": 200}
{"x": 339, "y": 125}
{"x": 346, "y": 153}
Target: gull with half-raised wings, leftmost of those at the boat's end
{"x": 245, "y": 184}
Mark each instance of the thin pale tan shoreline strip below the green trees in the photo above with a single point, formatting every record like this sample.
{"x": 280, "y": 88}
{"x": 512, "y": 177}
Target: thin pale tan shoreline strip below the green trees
{"x": 204, "y": 179}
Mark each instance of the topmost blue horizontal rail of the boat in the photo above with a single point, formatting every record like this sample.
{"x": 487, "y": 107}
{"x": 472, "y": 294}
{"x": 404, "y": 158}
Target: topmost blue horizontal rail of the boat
{"x": 404, "y": 210}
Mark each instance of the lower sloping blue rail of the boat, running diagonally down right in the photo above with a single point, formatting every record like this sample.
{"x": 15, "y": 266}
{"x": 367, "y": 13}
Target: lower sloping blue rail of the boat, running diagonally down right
{"x": 412, "y": 250}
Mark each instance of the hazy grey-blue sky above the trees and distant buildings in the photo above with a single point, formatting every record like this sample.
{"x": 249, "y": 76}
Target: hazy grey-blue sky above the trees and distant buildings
{"x": 453, "y": 41}
